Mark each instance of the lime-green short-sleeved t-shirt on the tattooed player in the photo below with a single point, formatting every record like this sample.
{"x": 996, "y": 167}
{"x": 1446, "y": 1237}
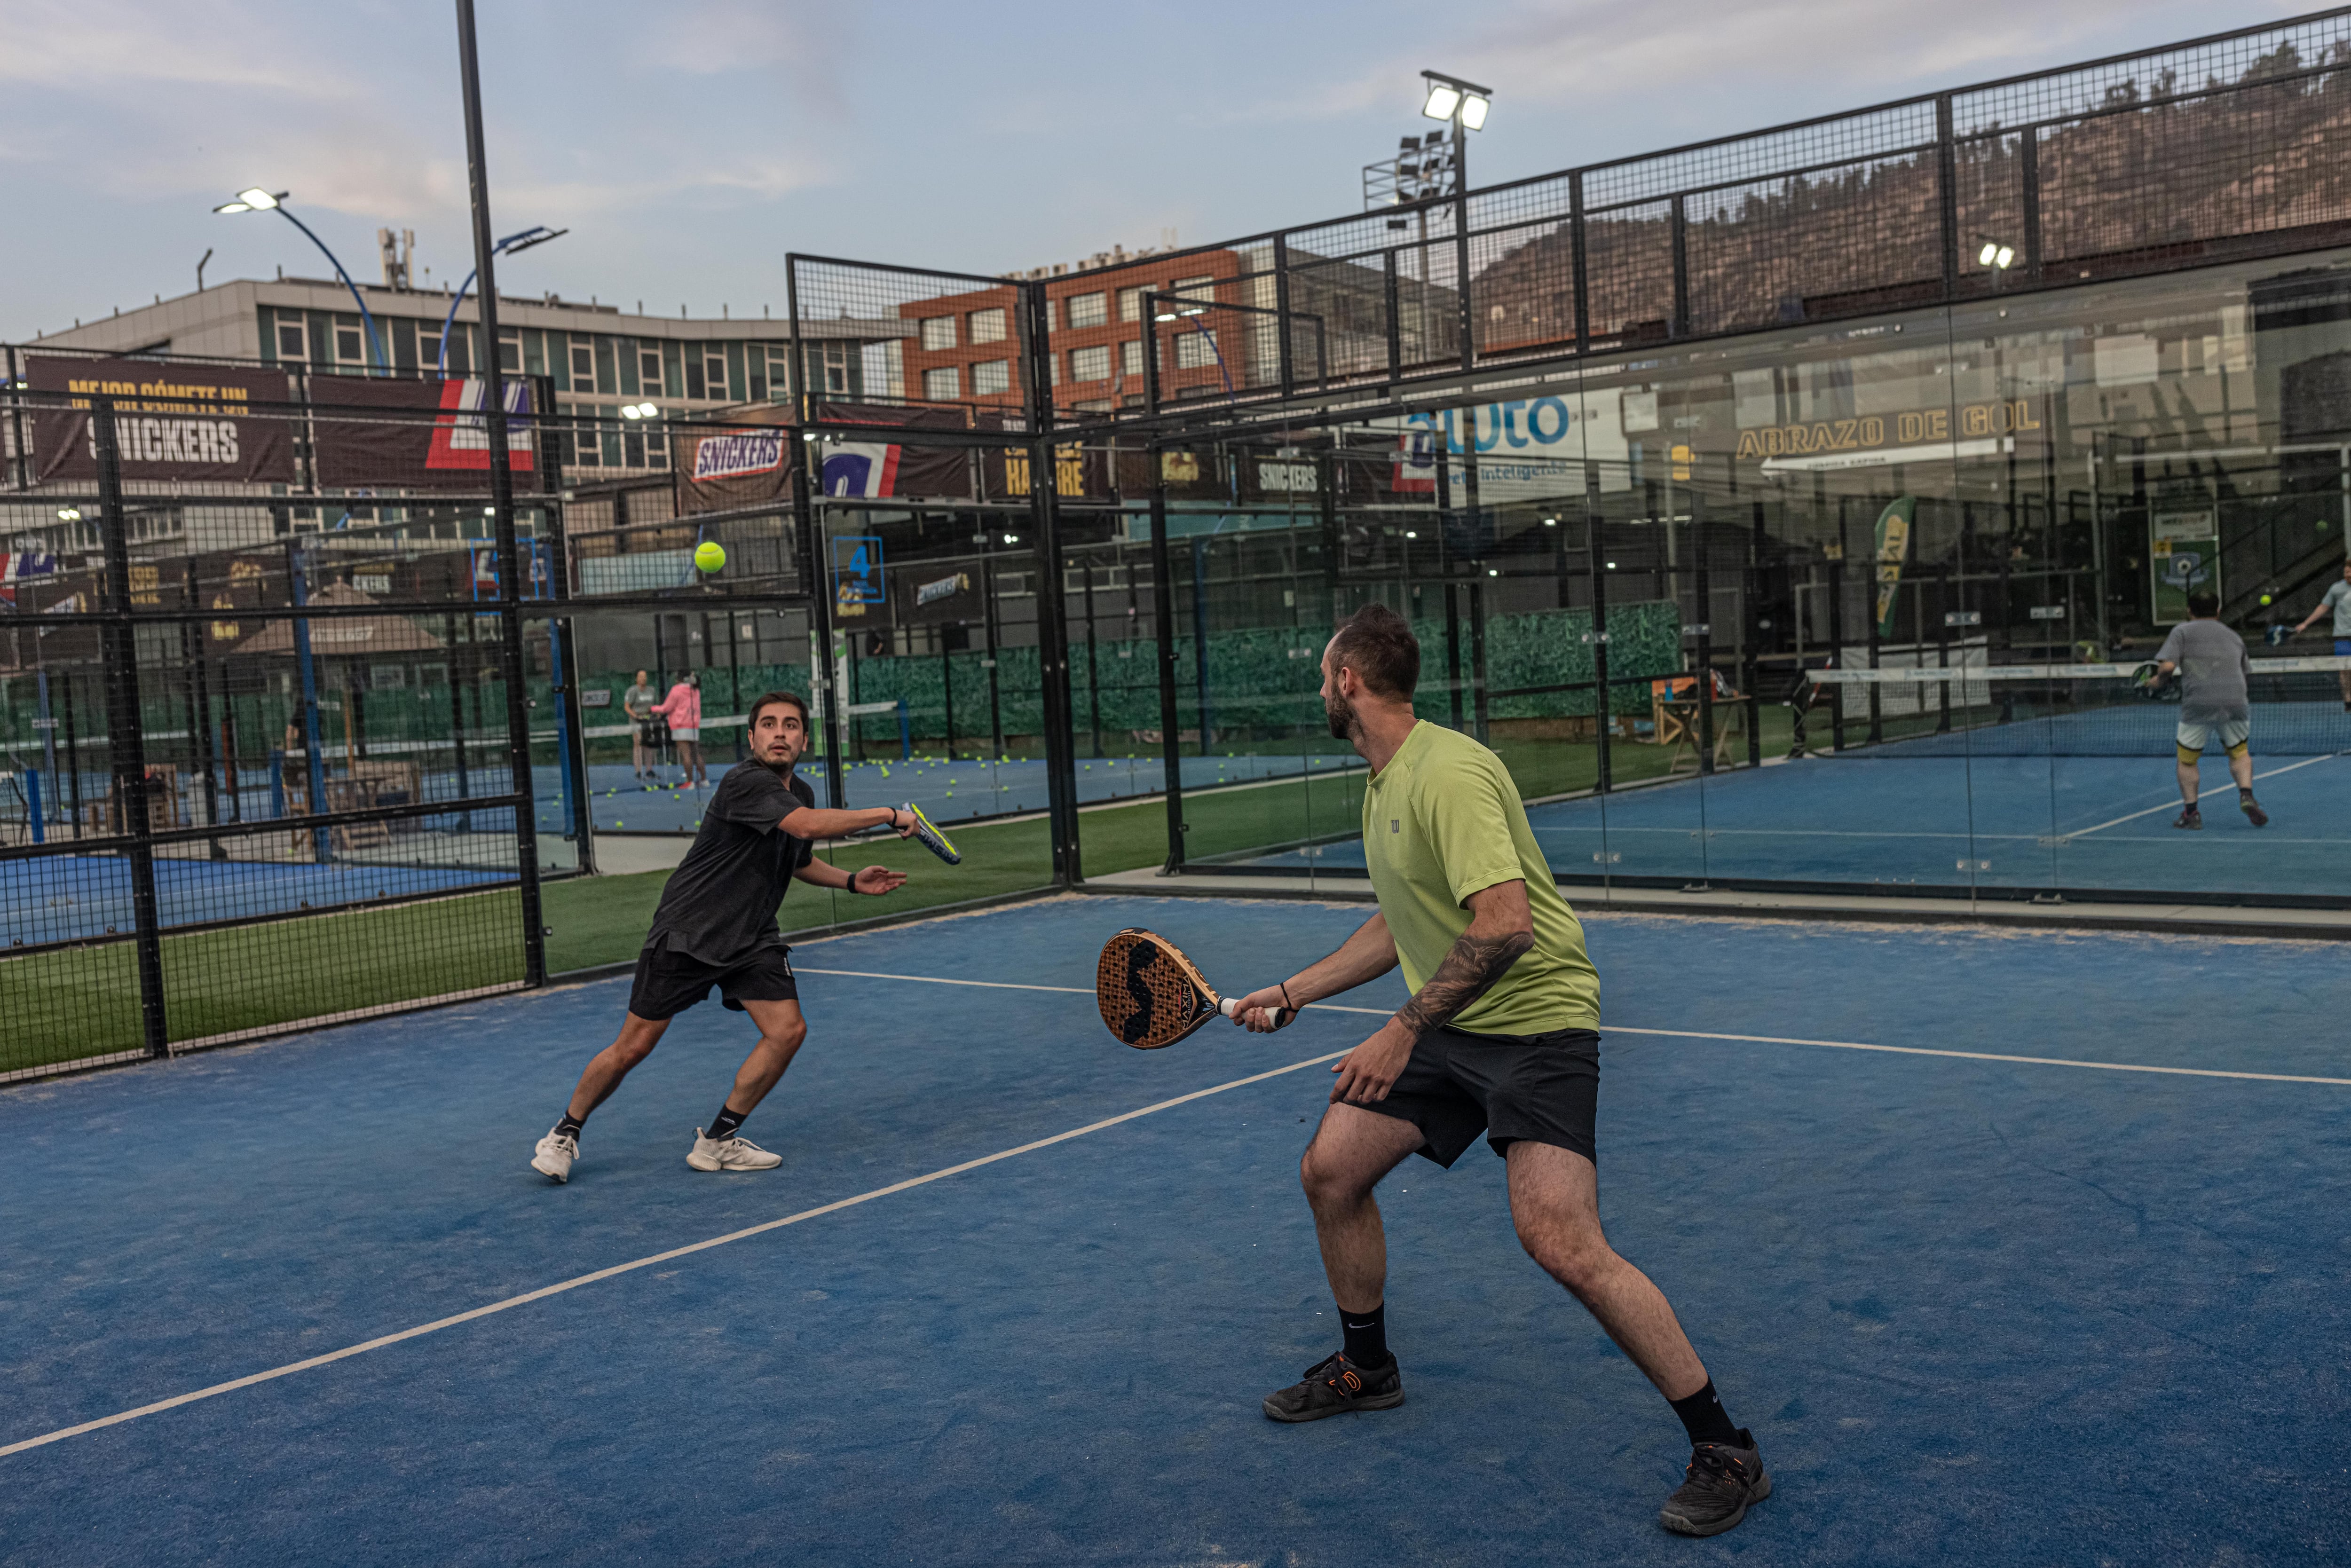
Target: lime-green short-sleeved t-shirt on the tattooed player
{"x": 1445, "y": 822}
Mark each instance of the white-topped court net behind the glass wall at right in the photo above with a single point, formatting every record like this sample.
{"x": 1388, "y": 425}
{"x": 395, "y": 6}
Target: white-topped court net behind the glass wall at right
{"x": 2058, "y": 711}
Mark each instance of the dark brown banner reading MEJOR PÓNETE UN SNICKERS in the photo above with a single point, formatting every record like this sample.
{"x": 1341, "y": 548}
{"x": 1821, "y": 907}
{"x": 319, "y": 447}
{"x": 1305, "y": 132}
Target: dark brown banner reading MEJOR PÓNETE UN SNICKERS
{"x": 173, "y": 422}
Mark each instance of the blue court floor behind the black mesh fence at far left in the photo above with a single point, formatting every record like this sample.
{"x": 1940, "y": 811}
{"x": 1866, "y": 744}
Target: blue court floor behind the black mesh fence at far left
{"x": 65, "y": 899}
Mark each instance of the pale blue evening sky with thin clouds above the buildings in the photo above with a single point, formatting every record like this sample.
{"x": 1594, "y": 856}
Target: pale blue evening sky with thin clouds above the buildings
{"x": 692, "y": 145}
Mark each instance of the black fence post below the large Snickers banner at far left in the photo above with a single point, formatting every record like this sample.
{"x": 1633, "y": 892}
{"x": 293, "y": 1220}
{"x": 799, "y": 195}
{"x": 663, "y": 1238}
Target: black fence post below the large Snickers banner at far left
{"x": 126, "y": 746}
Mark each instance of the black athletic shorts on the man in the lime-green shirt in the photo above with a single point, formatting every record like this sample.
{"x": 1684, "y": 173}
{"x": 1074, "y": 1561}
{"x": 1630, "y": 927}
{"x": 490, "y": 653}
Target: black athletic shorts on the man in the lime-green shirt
{"x": 1508, "y": 1087}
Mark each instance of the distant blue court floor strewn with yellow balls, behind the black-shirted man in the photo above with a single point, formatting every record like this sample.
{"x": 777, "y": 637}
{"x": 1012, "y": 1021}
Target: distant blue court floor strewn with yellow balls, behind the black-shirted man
{"x": 946, "y": 791}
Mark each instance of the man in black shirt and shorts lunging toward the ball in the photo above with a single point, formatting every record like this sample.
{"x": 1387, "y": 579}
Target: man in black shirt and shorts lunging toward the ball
{"x": 716, "y": 925}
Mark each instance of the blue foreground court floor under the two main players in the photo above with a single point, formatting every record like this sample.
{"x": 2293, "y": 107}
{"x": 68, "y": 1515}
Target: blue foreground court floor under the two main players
{"x": 2079, "y": 1311}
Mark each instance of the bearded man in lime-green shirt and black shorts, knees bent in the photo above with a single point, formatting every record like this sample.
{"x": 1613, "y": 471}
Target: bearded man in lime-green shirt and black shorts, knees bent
{"x": 1501, "y": 1038}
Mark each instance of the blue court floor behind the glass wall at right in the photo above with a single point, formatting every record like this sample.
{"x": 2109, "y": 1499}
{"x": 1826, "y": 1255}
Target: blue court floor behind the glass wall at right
{"x": 1948, "y": 822}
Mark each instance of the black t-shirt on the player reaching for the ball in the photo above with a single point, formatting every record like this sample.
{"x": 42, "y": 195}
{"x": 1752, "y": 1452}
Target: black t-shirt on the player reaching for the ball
{"x": 721, "y": 904}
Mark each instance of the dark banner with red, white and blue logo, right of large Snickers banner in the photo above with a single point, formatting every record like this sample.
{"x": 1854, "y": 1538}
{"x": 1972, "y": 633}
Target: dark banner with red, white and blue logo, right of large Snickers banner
{"x": 443, "y": 453}
